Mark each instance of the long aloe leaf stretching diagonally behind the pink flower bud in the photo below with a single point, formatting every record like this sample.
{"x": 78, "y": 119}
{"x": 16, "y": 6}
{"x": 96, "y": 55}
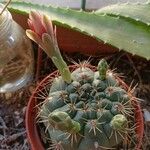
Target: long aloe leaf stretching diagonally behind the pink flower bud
{"x": 123, "y": 33}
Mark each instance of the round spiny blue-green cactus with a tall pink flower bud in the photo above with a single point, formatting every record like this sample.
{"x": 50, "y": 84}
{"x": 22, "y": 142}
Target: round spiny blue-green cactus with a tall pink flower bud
{"x": 89, "y": 111}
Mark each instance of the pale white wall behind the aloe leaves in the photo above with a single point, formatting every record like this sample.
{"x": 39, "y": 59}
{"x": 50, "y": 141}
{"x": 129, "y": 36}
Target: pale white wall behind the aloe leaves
{"x": 92, "y": 4}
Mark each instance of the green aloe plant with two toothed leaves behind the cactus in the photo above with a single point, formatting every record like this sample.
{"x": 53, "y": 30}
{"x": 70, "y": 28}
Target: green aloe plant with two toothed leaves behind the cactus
{"x": 123, "y": 26}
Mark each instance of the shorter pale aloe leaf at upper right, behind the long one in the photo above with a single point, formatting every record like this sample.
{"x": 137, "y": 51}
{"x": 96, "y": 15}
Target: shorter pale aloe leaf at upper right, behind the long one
{"x": 137, "y": 11}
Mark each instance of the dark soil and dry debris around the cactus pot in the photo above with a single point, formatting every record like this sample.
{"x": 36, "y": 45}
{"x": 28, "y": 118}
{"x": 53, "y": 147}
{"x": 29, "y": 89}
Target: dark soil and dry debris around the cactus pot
{"x": 136, "y": 72}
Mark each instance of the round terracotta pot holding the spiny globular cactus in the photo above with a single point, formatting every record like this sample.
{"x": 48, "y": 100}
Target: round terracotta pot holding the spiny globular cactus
{"x": 31, "y": 113}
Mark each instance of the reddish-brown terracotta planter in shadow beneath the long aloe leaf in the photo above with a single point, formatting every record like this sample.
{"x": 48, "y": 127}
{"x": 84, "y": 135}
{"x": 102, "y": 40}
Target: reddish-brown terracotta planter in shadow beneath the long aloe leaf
{"x": 73, "y": 41}
